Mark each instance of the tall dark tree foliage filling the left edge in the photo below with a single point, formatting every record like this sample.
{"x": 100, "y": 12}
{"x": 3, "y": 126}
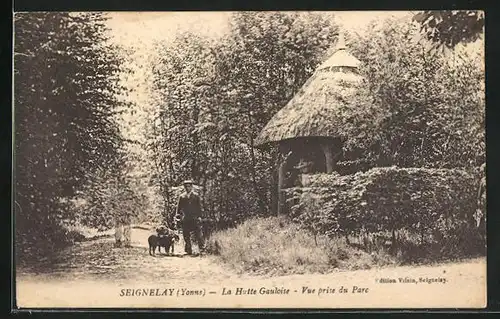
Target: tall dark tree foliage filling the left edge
{"x": 65, "y": 80}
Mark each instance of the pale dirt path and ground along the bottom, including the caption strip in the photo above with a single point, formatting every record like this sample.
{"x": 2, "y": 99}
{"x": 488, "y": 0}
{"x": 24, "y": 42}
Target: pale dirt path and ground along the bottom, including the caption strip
{"x": 82, "y": 277}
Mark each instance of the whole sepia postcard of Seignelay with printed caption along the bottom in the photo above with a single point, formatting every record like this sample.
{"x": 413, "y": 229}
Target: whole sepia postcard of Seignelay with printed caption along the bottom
{"x": 249, "y": 159}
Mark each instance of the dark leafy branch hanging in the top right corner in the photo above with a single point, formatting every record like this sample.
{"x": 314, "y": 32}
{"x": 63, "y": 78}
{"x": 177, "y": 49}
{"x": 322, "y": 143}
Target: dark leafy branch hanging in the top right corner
{"x": 451, "y": 27}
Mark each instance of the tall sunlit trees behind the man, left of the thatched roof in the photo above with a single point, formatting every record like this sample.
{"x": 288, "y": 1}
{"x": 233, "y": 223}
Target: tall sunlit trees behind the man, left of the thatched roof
{"x": 215, "y": 96}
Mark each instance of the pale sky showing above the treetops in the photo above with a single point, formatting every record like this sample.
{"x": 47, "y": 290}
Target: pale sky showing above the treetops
{"x": 139, "y": 30}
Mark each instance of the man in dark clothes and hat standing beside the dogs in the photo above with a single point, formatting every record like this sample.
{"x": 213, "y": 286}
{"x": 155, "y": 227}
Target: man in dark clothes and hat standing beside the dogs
{"x": 189, "y": 212}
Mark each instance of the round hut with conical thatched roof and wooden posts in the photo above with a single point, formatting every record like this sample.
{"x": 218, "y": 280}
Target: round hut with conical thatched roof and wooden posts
{"x": 306, "y": 130}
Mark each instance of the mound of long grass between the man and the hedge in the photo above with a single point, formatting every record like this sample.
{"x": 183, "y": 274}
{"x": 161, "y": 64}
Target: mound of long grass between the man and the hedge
{"x": 276, "y": 246}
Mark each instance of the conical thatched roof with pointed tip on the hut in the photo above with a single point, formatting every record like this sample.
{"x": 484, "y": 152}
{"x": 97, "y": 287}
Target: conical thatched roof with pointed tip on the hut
{"x": 314, "y": 110}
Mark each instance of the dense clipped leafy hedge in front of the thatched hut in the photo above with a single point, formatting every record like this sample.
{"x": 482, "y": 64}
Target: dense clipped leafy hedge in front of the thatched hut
{"x": 431, "y": 206}
